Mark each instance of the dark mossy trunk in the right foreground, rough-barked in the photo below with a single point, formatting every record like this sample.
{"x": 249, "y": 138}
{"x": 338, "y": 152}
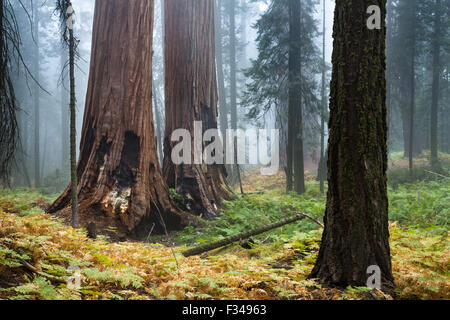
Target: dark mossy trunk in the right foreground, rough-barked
{"x": 356, "y": 233}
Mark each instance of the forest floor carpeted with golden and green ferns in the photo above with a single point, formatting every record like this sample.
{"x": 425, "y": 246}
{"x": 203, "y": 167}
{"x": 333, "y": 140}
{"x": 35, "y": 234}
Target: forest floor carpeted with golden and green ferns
{"x": 36, "y": 250}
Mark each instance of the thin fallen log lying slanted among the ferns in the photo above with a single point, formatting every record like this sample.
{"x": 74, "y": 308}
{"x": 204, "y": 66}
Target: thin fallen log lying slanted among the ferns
{"x": 242, "y": 236}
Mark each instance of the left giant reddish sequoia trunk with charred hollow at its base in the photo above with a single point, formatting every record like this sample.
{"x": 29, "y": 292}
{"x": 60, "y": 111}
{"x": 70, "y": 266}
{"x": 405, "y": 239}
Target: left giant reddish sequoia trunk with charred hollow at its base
{"x": 120, "y": 180}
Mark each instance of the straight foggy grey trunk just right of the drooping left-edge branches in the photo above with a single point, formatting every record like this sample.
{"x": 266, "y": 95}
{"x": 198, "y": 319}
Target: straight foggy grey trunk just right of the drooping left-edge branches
{"x": 36, "y": 94}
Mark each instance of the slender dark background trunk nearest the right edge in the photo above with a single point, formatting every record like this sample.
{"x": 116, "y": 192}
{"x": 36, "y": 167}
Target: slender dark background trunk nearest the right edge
{"x": 435, "y": 86}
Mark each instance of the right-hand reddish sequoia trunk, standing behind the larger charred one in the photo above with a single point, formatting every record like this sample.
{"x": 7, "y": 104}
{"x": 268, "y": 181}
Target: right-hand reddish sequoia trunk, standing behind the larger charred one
{"x": 191, "y": 95}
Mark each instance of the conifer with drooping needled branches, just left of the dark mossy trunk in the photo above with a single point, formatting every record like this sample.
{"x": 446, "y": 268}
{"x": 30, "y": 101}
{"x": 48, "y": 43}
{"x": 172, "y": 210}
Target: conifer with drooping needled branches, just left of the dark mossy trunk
{"x": 283, "y": 77}
